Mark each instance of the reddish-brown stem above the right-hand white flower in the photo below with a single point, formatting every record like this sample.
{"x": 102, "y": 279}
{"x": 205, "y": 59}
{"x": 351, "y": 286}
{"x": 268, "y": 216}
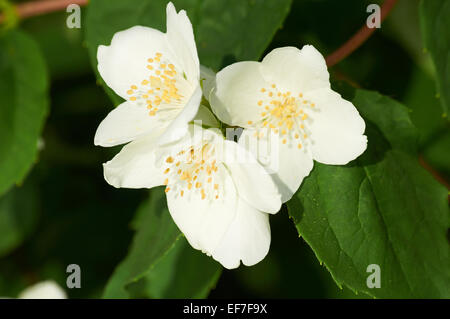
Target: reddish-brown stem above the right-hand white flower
{"x": 359, "y": 38}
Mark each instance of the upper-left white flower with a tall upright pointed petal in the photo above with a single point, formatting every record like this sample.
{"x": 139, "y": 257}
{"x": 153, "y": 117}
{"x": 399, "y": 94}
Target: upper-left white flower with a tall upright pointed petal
{"x": 158, "y": 74}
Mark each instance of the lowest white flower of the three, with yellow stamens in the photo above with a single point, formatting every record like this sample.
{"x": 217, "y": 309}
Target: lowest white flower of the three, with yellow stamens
{"x": 217, "y": 193}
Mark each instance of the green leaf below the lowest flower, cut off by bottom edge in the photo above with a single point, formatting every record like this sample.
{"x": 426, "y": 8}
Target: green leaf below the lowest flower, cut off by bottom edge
{"x": 161, "y": 264}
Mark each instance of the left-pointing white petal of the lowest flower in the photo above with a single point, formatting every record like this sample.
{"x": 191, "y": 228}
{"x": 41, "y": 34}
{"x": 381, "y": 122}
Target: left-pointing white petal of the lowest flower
{"x": 135, "y": 166}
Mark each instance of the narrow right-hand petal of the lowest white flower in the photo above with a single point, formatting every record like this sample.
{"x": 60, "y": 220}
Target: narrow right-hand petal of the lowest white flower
{"x": 252, "y": 181}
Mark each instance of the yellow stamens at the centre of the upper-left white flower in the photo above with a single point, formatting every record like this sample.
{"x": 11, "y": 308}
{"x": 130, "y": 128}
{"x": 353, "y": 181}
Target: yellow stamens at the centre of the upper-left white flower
{"x": 161, "y": 87}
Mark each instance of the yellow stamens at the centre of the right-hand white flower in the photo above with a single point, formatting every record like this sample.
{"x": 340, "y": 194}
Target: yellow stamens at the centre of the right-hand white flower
{"x": 285, "y": 113}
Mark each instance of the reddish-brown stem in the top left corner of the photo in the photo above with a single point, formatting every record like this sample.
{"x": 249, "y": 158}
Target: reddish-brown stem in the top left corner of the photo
{"x": 34, "y": 8}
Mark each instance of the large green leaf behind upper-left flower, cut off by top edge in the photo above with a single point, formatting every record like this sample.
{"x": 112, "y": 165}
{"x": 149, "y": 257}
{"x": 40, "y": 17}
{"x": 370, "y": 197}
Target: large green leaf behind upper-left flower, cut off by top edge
{"x": 225, "y": 30}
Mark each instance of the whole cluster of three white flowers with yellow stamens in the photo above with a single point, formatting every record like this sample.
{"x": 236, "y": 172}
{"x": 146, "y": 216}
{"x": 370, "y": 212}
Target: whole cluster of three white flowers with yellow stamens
{"x": 220, "y": 192}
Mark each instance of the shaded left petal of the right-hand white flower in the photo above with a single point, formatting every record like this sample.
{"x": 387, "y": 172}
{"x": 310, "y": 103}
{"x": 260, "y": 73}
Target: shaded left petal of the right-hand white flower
{"x": 235, "y": 97}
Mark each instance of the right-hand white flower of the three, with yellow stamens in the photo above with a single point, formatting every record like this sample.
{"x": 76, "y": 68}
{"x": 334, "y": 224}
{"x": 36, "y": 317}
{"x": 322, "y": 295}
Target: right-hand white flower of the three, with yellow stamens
{"x": 289, "y": 94}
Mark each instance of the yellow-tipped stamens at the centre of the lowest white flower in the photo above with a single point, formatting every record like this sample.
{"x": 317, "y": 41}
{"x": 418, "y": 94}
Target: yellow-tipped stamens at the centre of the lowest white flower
{"x": 193, "y": 170}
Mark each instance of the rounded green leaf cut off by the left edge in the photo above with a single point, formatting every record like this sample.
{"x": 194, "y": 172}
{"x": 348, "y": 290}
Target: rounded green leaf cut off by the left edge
{"x": 23, "y": 108}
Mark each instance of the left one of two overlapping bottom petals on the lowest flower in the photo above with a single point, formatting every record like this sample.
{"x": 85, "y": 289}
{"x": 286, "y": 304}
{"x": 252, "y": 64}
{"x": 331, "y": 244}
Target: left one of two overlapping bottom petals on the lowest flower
{"x": 204, "y": 221}
